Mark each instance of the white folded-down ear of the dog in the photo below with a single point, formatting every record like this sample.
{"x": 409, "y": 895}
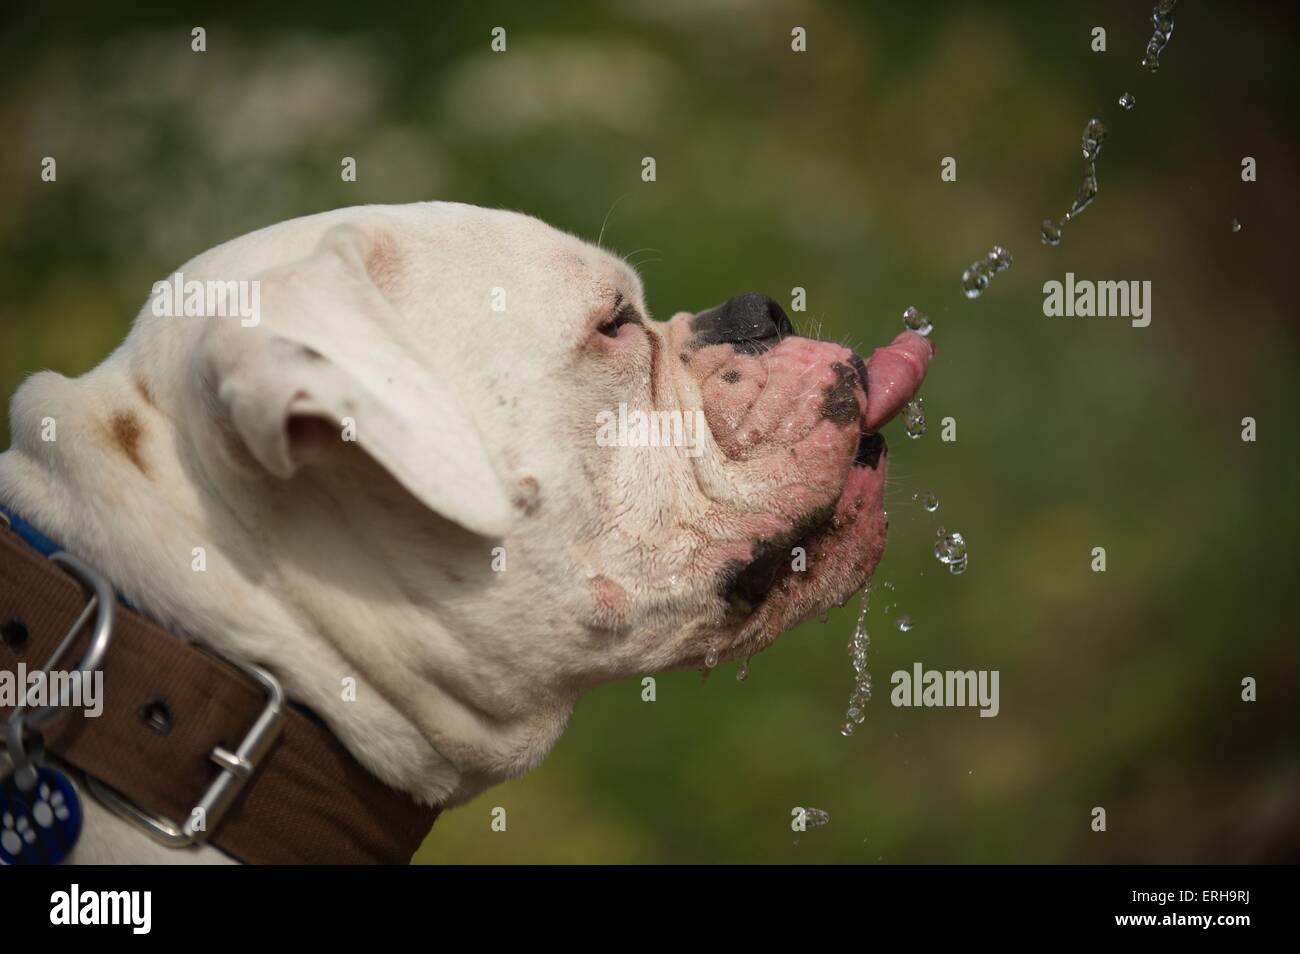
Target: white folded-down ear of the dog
{"x": 327, "y": 357}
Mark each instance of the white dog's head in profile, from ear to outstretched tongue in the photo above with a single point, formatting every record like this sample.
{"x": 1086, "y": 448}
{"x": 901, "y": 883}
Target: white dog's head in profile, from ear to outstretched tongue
{"x": 553, "y": 489}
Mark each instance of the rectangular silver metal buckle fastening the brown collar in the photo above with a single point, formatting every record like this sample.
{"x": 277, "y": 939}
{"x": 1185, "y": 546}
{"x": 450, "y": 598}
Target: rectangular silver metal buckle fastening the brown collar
{"x": 237, "y": 767}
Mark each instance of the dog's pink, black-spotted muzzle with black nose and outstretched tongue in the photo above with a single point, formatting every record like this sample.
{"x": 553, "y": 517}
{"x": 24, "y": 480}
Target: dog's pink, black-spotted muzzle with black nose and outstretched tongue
{"x": 800, "y": 422}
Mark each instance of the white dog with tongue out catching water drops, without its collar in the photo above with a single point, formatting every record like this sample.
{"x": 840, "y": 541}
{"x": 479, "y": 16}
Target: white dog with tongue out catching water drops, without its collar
{"x": 397, "y": 478}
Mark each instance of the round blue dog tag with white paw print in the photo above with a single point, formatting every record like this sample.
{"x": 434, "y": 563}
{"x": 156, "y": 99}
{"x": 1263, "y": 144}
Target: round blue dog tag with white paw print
{"x": 42, "y": 826}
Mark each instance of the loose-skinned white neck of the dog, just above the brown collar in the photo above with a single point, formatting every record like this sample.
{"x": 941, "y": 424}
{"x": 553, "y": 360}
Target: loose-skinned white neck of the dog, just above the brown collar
{"x": 330, "y": 582}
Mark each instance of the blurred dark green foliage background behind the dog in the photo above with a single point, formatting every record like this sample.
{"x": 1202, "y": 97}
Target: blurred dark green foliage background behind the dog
{"x": 775, "y": 170}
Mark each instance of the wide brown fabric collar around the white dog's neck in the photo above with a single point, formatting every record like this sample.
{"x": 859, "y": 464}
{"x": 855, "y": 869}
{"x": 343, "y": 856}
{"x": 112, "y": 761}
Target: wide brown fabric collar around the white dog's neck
{"x": 174, "y": 715}
